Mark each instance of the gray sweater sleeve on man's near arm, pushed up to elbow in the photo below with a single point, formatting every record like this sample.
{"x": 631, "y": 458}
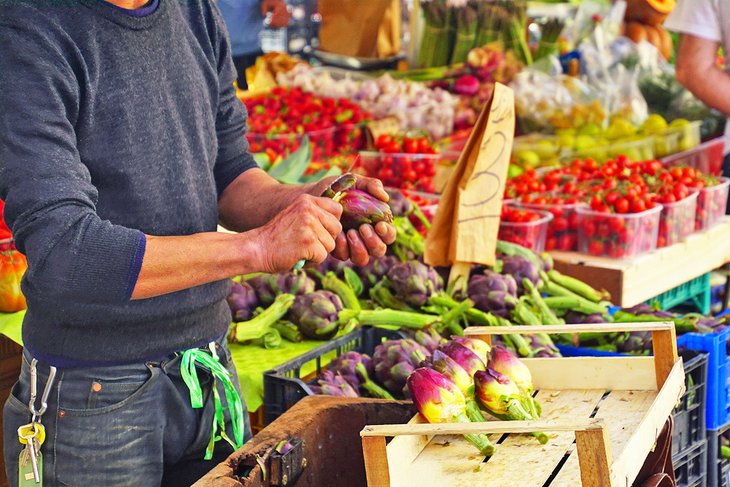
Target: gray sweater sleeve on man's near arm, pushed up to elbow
{"x": 50, "y": 201}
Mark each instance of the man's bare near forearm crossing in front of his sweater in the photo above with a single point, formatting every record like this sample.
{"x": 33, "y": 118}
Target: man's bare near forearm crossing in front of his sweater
{"x": 175, "y": 263}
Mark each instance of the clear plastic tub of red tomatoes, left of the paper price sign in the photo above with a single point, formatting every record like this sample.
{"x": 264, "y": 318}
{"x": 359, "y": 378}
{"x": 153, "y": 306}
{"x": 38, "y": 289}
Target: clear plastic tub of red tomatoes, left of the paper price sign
{"x": 399, "y": 170}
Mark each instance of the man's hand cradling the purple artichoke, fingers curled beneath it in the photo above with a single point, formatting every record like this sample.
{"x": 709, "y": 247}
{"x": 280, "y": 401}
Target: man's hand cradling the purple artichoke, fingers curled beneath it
{"x": 359, "y": 245}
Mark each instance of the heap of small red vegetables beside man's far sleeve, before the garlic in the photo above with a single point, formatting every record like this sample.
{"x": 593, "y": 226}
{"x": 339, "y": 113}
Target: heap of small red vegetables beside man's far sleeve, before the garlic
{"x": 281, "y": 119}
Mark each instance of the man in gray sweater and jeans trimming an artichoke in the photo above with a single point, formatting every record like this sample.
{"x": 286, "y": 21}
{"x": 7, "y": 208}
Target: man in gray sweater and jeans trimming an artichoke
{"x": 121, "y": 148}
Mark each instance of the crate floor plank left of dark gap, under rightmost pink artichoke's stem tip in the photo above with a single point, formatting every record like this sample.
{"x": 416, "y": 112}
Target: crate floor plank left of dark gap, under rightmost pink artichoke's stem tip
{"x": 537, "y": 462}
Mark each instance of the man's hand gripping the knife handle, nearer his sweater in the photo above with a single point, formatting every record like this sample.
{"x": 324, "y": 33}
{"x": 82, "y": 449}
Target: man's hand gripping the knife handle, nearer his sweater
{"x": 306, "y": 229}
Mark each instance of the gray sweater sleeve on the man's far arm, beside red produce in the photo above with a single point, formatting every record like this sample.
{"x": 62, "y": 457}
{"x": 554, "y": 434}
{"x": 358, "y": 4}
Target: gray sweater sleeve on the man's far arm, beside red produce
{"x": 234, "y": 157}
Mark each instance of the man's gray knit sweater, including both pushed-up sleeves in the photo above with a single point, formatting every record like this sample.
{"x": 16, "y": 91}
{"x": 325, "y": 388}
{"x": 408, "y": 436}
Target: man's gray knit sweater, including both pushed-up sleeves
{"x": 111, "y": 127}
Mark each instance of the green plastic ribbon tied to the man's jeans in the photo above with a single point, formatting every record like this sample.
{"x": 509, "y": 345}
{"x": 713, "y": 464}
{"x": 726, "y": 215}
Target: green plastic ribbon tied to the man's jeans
{"x": 209, "y": 361}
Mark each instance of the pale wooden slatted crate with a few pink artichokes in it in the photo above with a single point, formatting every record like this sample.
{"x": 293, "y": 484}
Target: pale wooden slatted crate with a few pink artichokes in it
{"x": 608, "y": 409}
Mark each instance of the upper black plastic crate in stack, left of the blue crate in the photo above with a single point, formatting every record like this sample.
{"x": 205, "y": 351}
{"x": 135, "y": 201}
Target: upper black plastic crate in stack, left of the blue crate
{"x": 689, "y": 415}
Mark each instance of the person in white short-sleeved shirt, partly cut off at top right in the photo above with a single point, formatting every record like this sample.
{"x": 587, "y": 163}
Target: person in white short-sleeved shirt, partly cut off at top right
{"x": 704, "y": 26}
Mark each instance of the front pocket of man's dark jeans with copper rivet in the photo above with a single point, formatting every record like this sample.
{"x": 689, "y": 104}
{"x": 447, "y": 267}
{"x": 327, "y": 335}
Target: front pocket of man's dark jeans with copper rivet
{"x": 89, "y": 397}
